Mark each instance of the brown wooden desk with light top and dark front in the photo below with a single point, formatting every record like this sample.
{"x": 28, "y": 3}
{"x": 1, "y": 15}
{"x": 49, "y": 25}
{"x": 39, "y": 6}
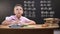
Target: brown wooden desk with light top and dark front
{"x": 30, "y": 29}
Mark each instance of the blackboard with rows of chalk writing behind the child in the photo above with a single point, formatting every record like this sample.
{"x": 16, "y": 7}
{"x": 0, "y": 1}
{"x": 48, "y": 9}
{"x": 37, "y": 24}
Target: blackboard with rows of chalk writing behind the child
{"x": 35, "y": 10}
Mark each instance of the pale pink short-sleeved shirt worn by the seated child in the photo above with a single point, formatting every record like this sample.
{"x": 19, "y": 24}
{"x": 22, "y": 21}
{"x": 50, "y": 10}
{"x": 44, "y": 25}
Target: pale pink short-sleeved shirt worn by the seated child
{"x": 21, "y": 19}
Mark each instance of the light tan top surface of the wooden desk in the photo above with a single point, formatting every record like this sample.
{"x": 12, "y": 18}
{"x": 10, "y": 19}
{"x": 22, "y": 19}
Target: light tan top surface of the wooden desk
{"x": 37, "y": 26}
